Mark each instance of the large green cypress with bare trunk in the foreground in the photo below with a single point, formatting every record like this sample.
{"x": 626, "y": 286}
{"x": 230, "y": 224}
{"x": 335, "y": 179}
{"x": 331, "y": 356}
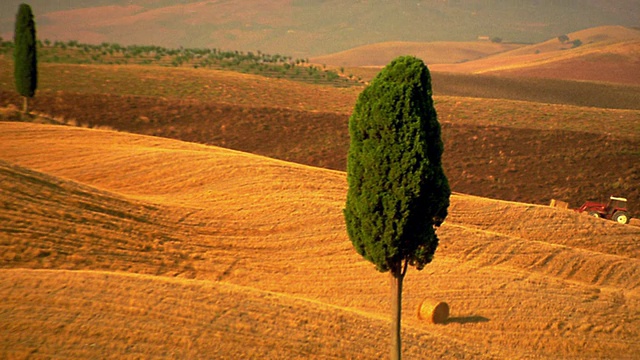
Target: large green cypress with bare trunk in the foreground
{"x": 398, "y": 192}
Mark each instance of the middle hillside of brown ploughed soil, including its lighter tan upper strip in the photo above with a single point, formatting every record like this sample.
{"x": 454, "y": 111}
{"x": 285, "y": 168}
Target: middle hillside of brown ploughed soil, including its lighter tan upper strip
{"x": 517, "y": 139}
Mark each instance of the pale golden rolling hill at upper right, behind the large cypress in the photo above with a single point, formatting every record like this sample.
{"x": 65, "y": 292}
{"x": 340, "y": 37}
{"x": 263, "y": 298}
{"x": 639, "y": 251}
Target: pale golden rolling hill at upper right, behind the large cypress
{"x": 609, "y": 54}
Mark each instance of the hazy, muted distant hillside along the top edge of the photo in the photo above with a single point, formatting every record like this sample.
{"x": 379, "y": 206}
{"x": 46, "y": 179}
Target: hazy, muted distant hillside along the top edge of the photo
{"x": 312, "y": 28}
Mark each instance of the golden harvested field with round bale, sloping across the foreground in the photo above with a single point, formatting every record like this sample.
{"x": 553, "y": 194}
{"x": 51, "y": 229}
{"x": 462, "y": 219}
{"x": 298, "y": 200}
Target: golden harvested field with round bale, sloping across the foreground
{"x": 115, "y": 245}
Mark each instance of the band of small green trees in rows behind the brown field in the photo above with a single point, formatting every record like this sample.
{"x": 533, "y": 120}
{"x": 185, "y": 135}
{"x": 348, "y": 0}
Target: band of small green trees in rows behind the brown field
{"x": 270, "y": 65}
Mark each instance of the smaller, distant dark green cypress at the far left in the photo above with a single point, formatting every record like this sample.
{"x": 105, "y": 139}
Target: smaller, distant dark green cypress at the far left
{"x": 25, "y": 55}
